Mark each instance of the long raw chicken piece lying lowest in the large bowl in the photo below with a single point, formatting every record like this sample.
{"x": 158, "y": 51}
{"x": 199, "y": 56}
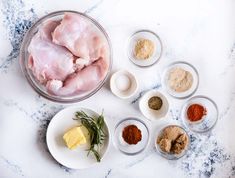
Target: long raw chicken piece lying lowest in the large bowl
{"x": 80, "y": 82}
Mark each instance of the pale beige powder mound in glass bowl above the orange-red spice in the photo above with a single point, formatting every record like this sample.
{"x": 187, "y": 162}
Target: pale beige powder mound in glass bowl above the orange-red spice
{"x": 180, "y": 80}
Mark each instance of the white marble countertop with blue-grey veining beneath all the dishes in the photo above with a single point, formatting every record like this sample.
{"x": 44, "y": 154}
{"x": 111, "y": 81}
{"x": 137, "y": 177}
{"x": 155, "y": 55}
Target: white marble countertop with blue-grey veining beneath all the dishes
{"x": 208, "y": 157}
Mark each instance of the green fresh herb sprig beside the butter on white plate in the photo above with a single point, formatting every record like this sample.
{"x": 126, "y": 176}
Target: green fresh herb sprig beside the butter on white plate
{"x": 95, "y": 129}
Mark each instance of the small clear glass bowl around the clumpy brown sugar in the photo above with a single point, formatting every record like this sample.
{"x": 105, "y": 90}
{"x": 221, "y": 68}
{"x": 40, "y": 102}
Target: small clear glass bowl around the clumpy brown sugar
{"x": 171, "y": 156}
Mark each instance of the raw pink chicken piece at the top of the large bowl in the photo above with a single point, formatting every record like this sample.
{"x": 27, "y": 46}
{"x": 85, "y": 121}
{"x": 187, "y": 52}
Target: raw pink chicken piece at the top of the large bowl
{"x": 81, "y": 37}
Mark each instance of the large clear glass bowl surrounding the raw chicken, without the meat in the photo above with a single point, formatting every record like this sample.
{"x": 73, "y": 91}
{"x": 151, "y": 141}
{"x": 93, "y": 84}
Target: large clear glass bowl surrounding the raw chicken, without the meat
{"x": 34, "y": 83}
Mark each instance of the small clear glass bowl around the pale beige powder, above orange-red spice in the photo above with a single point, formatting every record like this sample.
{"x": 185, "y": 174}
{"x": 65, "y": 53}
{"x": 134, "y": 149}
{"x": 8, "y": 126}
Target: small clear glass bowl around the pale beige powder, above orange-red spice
{"x": 188, "y": 67}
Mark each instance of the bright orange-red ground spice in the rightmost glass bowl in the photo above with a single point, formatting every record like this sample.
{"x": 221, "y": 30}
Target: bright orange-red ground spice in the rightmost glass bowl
{"x": 196, "y": 112}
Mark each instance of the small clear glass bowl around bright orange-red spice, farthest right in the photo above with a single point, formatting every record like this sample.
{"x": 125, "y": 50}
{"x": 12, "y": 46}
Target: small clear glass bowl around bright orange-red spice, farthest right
{"x": 208, "y": 121}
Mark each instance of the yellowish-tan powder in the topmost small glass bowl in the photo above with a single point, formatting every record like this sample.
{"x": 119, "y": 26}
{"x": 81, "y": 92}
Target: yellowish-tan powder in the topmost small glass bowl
{"x": 144, "y": 49}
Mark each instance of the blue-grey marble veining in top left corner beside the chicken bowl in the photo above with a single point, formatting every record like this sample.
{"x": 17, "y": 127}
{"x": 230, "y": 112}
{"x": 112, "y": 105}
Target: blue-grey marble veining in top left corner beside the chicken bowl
{"x": 17, "y": 20}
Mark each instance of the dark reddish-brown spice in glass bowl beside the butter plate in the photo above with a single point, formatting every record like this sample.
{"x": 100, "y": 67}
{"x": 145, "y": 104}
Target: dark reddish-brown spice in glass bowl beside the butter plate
{"x": 131, "y": 134}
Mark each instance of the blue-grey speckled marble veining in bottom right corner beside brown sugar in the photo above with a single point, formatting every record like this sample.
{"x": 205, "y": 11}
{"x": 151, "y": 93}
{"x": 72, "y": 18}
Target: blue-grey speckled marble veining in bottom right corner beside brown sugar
{"x": 211, "y": 155}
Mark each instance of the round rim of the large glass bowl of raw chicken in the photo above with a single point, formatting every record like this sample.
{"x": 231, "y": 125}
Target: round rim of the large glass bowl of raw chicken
{"x": 39, "y": 91}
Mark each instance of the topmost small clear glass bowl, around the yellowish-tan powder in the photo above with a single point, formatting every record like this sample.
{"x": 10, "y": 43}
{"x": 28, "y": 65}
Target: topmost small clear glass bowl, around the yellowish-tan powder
{"x": 146, "y": 34}
